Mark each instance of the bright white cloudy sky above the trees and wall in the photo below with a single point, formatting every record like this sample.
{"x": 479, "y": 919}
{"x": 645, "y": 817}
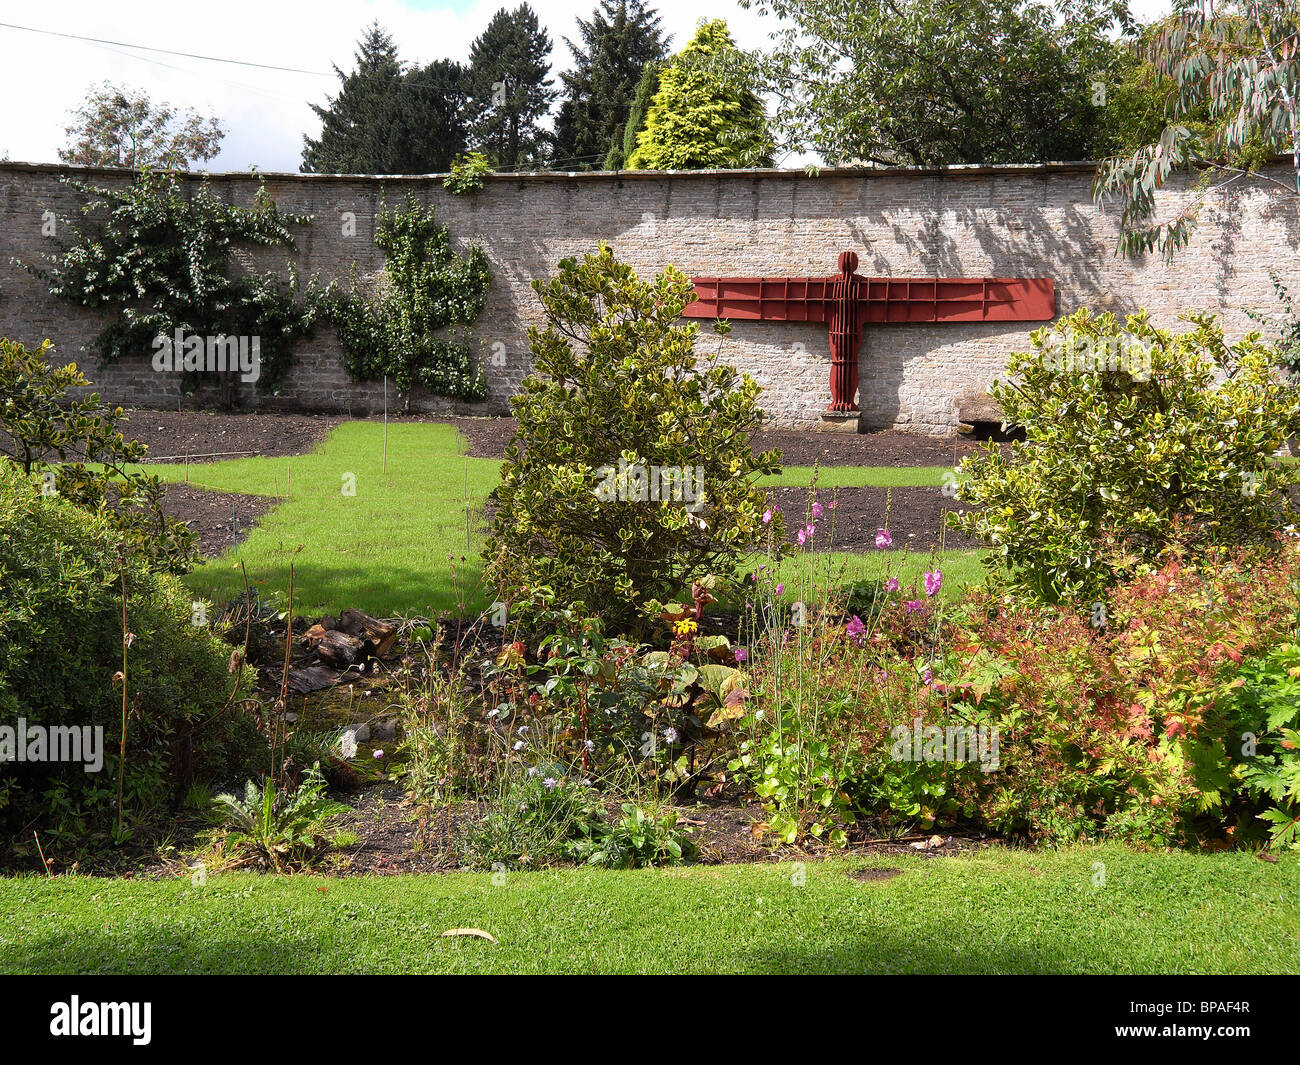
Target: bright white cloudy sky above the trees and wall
{"x": 266, "y": 112}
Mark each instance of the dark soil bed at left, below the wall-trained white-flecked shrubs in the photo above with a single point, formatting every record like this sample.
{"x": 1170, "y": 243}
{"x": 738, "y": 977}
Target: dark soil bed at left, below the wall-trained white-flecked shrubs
{"x": 174, "y": 435}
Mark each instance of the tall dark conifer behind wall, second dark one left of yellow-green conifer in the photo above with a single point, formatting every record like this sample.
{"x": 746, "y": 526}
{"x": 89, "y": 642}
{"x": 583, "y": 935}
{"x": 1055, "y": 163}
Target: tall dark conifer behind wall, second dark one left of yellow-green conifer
{"x": 510, "y": 89}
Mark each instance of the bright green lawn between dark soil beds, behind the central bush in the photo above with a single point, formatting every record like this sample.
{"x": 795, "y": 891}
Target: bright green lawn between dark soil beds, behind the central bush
{"x": 388, "y": 549}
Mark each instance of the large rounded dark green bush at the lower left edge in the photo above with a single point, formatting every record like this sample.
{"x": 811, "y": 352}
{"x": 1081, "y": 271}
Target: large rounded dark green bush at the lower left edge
{"x": 62, "y": 631}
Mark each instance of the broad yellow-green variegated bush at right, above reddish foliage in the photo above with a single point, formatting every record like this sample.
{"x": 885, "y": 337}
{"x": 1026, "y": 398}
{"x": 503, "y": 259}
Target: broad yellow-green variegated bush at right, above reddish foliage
{"x": 1133, "y": 453}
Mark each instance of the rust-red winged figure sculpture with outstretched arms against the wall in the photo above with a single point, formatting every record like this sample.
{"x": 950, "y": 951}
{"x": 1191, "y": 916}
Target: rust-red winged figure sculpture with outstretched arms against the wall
{"x": 848, "y": 301}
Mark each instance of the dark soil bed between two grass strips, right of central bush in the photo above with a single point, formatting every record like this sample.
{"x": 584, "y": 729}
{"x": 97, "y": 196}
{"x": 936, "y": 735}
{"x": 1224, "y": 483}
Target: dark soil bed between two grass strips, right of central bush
{"x": 916, "y": 518}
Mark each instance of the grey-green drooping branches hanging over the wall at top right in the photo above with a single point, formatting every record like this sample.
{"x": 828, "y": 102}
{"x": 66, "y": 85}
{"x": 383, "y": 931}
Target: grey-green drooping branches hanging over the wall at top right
{"x": 1236, "y": 73}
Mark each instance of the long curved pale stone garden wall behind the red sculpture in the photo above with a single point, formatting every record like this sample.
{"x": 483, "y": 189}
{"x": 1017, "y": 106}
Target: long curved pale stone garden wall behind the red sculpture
{"x": 1019, "y": 222}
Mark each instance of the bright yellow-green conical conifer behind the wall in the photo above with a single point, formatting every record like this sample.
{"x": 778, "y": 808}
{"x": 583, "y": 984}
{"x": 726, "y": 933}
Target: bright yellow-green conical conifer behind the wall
{"x": 705, "y": 114}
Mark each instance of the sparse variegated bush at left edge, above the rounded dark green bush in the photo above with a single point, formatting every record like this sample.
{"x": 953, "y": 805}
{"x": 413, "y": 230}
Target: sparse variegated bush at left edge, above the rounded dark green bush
{"x": 42, "y": 422}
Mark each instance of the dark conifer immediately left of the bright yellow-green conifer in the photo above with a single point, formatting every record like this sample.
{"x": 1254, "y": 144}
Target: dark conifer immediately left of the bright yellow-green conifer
{"x": 609, "y": 62}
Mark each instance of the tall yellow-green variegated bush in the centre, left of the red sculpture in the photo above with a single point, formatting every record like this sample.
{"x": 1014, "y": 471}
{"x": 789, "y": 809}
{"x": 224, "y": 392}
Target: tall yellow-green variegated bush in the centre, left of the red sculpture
{"x": 631, "y": 474}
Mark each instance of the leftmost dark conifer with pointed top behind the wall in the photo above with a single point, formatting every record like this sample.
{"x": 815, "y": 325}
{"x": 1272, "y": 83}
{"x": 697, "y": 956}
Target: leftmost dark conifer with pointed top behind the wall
{"x": 353, "y": 123}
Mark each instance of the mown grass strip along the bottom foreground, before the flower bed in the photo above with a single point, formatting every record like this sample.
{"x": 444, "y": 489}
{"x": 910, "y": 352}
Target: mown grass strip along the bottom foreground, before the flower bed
{"x": 1000, "y": 912}
